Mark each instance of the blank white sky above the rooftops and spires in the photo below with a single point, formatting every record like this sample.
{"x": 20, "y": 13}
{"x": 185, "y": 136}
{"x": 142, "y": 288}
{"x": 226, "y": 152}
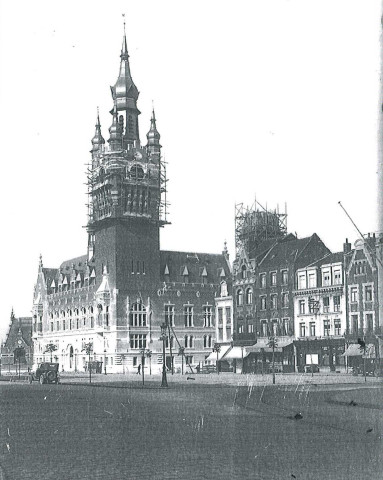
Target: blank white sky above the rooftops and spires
{"x": 273, "y": 100}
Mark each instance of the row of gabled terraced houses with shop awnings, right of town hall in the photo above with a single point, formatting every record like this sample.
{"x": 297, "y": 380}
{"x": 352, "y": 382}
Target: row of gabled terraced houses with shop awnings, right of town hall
{"x": 321, "y": 308}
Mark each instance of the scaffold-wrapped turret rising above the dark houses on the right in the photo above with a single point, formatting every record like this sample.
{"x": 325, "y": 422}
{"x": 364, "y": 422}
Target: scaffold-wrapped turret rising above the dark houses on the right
{"x": 255, "y": 224}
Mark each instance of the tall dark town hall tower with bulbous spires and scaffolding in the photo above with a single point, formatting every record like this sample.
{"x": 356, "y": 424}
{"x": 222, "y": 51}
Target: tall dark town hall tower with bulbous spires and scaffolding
{"x": 125, "y": 185}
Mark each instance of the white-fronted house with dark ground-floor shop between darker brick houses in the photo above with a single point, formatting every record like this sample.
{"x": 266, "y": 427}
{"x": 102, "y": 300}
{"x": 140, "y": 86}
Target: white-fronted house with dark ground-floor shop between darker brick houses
{"x": 320, "y": 313}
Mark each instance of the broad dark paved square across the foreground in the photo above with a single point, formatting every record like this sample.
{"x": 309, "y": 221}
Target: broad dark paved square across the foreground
{"x": 192, "y": 430}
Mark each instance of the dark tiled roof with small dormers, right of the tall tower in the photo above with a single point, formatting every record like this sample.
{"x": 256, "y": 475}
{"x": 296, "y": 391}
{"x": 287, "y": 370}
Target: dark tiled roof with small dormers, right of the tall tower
{"x": 194, "y": 263}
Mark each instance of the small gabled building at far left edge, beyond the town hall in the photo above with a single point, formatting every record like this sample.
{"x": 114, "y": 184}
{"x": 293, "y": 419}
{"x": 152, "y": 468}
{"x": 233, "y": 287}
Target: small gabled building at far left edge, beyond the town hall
{"x": 18, "y": 345}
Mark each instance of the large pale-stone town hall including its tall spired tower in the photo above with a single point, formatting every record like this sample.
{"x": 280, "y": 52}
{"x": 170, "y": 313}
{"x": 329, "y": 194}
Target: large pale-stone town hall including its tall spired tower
{"x": 117, "y": 295}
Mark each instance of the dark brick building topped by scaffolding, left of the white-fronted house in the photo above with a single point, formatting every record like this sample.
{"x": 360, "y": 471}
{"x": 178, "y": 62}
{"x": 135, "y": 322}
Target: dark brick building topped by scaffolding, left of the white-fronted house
{"x": 263, "y": 285}
